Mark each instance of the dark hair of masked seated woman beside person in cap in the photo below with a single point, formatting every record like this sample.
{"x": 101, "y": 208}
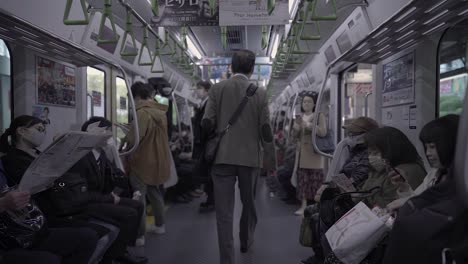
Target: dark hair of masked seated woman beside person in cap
{"x": 394, "y": 145}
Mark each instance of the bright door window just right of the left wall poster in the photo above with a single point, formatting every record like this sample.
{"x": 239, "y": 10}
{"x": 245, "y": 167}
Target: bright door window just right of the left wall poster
{"x": 96, "y": 82}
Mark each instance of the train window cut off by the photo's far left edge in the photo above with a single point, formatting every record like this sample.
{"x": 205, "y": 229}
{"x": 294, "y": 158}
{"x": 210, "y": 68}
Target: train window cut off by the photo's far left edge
{"x": 5, "y": 87}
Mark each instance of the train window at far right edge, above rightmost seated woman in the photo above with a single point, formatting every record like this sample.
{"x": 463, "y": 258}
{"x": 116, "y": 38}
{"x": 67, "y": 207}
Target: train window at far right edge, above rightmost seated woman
{"x": 453, "y": 70}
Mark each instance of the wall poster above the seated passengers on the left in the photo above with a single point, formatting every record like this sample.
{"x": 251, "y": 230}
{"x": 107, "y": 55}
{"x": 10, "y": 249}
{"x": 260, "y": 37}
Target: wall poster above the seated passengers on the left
{"x": 55, "y": 83}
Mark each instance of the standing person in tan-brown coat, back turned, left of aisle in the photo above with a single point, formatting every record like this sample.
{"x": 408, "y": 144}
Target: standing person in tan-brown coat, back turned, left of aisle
{"x": 150, "y": 163}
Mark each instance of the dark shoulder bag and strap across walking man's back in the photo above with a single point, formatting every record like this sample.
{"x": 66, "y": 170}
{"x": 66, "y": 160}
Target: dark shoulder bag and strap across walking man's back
{"x": 212, "y": 143}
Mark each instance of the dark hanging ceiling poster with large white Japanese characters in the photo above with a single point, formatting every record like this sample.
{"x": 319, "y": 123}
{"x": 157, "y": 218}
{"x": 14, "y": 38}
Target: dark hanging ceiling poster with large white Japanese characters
{"x": 176, "y": 13}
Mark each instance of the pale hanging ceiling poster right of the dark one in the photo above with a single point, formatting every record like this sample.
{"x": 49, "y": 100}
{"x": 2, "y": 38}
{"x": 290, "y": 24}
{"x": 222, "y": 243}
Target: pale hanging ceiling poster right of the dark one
{"x": 253, "y": 12}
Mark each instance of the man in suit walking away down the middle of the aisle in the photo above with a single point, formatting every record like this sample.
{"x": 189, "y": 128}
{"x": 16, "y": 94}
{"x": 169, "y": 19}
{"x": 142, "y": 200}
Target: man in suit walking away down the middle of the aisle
{"x": 238, "y": 156}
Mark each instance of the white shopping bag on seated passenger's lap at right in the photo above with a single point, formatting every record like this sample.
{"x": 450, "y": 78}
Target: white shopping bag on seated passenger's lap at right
{"x": 354, "y": 236}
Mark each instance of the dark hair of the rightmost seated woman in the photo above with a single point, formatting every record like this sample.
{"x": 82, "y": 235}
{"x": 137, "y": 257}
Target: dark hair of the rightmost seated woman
{"x": 443, "y": 133}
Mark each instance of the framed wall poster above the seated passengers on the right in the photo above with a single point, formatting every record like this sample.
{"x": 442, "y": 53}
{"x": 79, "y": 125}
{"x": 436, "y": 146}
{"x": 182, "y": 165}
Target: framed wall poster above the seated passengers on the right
{"x": 398, "y": 78}
